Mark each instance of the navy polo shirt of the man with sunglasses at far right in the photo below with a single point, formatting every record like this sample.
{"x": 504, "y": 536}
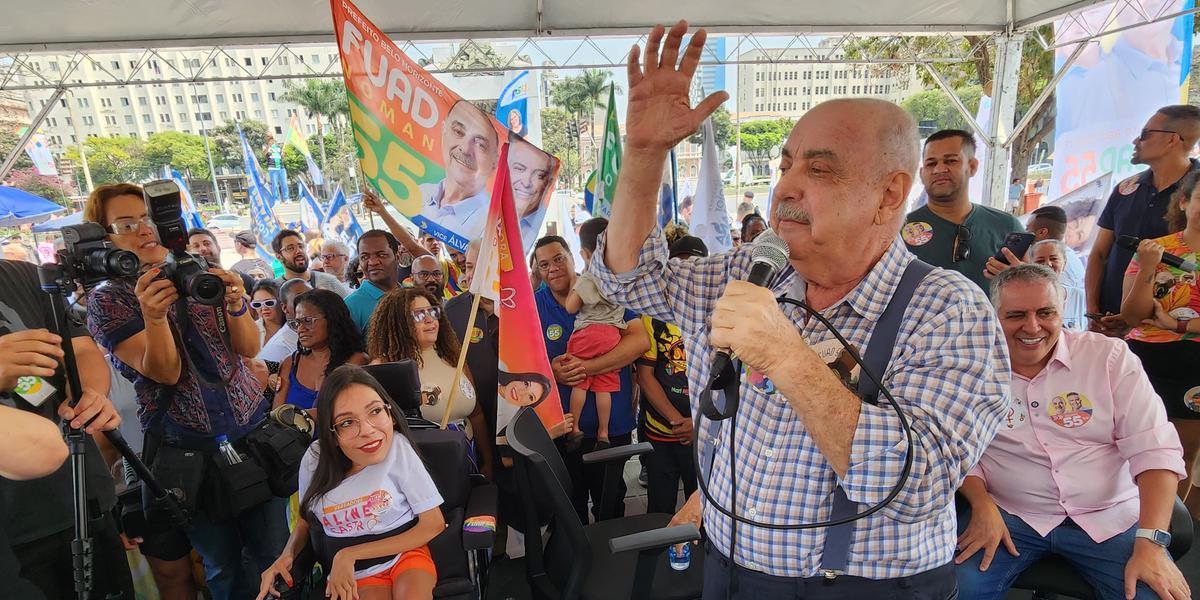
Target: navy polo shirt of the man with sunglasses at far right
{"x": 1135, "y": 208}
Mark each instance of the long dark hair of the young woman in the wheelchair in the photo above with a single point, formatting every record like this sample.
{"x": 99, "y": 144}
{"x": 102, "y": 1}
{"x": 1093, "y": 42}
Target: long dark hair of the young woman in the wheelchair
{"x": 333, "y": 464}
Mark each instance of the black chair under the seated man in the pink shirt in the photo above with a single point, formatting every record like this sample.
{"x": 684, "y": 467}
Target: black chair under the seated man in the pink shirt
{"x": 1055, "y": 577}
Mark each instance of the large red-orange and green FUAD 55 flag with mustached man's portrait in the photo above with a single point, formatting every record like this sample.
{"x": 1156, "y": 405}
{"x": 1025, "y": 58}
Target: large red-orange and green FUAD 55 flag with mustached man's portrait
{"x": 431, "y": 154}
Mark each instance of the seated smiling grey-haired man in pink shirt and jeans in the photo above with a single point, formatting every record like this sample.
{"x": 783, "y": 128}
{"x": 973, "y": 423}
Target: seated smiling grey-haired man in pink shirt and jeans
{"x": 1085, "y": 465}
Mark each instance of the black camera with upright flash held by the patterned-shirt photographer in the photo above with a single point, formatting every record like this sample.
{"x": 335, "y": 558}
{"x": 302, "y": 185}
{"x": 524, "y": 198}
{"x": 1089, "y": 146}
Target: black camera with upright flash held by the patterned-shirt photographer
{"x": 189, "y": 273}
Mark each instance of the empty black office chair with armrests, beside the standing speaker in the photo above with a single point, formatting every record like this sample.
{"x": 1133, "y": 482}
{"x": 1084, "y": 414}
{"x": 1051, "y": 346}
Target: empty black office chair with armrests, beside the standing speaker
{"x": 616, "y": 559}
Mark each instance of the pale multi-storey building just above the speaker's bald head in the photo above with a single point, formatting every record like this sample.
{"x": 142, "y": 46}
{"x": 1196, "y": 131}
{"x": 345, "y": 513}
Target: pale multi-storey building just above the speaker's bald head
{"x": 791, "y": 87}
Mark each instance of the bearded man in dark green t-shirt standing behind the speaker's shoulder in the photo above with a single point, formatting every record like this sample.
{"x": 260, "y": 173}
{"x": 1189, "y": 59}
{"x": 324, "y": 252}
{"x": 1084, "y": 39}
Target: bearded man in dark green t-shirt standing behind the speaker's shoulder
{"x": 952, "y": 232}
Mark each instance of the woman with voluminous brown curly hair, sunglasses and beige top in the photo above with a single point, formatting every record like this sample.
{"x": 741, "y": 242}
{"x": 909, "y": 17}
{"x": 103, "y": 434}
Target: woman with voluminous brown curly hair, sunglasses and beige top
{"x": 410, "y": 323}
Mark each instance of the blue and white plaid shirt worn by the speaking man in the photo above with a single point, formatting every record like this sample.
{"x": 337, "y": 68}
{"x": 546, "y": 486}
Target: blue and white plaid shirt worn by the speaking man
{"x": 950, "y": 373}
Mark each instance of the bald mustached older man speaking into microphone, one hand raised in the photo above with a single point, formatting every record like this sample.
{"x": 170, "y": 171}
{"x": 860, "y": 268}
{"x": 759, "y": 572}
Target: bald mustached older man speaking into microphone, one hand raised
{"x": 803, "y": 436}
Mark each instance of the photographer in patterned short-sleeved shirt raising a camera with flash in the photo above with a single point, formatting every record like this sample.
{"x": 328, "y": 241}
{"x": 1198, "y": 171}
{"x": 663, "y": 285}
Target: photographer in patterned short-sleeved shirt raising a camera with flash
{"x": 194, "y": 391}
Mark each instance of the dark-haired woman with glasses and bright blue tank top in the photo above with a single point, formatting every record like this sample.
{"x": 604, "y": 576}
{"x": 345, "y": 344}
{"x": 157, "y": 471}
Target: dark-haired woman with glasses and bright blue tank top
{"x": 328, "y": 339}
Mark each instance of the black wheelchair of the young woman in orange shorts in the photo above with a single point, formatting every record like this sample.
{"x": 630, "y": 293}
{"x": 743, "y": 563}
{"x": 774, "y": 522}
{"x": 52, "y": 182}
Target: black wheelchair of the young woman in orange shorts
{"x": 460, "y": 553}
